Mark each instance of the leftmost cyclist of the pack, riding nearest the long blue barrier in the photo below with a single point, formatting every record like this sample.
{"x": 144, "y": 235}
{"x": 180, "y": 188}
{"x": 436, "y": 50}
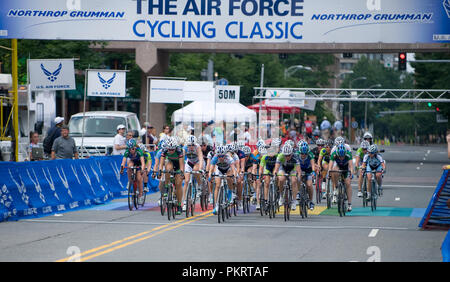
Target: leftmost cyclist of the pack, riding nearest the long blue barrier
{"x": 134, "y": 156}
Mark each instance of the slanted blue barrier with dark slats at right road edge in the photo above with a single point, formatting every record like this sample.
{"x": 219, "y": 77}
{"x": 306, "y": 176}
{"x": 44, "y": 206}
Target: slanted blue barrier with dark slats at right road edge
{"x": 437, "y": 215}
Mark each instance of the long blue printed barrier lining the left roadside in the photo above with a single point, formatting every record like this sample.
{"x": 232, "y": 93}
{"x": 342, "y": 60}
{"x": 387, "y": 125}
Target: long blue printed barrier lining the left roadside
{"x": 35, "y": 189}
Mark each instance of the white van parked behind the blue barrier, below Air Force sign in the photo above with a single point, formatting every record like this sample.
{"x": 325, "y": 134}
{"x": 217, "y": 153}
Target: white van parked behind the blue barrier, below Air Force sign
{"x": 100, "y": 129}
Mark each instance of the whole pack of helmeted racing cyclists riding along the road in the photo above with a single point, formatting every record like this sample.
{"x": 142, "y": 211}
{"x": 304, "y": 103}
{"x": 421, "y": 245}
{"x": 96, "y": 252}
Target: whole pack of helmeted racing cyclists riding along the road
{"x": 270, "y": 158}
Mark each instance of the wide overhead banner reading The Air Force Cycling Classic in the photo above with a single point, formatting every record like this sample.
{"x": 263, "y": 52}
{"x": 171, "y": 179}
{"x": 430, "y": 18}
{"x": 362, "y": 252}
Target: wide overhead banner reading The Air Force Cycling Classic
{"x": 259, "y": 21}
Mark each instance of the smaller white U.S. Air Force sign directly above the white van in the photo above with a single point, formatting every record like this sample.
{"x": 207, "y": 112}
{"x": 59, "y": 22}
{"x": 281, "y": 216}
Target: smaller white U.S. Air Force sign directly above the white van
{"x": 106, "y": 83}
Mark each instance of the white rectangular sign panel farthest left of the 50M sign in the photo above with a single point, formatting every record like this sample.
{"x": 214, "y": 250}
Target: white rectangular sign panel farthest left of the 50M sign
{"x": 167, "y": 91}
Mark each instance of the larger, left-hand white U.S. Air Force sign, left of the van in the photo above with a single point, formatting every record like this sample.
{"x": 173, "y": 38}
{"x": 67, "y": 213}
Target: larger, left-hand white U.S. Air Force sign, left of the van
{"x": 54, "y": 74}
